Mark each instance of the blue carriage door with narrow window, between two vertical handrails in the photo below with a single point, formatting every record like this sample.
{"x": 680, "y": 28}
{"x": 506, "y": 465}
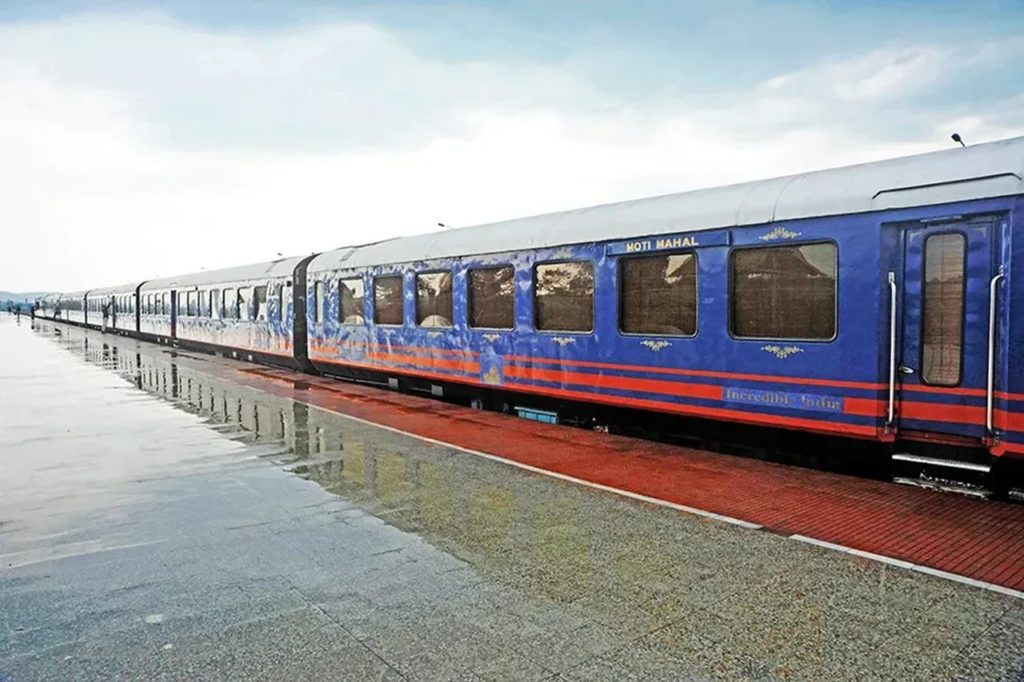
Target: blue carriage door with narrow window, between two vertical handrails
{"x": 943, "y": 372}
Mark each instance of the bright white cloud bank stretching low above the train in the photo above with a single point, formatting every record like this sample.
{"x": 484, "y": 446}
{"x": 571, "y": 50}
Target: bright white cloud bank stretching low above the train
{"x": 142, "y": 148}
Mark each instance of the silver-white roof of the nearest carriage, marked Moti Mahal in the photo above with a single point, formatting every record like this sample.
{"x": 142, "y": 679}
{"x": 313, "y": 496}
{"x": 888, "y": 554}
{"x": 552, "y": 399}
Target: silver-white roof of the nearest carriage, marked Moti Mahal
{"x": 982, "y": 172}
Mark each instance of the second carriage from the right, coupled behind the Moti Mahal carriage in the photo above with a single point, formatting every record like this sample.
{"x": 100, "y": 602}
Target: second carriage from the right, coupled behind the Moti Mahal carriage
{"x": 246, "y": 312}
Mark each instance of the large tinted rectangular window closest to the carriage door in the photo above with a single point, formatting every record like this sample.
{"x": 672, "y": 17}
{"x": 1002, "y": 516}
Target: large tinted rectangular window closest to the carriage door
{"x": 785, "y": 292}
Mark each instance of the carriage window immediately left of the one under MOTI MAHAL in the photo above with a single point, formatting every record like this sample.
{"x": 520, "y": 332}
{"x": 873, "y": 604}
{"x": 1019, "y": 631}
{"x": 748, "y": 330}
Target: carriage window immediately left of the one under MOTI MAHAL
{"x": 564, "y": 296}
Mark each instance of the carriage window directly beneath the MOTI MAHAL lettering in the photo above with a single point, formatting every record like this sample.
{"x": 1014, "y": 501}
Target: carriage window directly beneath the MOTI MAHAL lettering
{"x": 659, "y": 295}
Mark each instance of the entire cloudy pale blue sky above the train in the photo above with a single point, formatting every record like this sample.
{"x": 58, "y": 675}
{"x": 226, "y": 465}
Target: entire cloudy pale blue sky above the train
{"x": 144, "y": 140}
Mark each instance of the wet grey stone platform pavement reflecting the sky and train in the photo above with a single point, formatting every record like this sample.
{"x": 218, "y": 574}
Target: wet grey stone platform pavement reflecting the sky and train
{"x": 161, "y": 522}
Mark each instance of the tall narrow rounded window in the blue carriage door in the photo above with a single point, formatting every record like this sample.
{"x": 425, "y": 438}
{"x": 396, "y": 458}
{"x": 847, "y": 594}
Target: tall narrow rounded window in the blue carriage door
{"x": 943, "y": 315}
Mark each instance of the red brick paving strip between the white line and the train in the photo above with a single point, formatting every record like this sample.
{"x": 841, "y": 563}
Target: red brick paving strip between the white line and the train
{"x": 978, "y": 539}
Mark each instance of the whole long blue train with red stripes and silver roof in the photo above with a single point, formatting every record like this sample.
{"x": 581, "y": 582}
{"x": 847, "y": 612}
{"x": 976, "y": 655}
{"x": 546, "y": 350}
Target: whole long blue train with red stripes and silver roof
{"x": 869, "y": 304}
